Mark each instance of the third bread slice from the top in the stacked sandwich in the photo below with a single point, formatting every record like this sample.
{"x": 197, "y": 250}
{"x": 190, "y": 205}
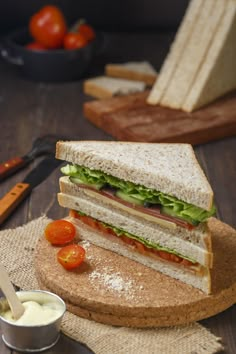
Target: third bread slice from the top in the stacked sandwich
{"x": 135, "y": 226}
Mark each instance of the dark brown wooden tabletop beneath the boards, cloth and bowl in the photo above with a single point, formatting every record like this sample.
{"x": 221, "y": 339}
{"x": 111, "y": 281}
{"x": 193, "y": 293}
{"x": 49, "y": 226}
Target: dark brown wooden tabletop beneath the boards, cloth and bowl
{"x": 30, "y": 109}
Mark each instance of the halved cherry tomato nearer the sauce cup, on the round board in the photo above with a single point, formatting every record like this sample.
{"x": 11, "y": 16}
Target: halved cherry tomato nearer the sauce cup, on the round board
{"x": 71, "y": 256}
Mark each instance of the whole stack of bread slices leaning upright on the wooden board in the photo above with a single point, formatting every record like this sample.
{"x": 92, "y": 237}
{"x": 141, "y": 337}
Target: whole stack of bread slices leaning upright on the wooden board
{"x": 201, "y": 63}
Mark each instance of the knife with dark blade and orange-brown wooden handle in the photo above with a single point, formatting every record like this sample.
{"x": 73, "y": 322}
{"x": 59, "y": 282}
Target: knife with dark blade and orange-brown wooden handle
{"x": 21, "y": 190}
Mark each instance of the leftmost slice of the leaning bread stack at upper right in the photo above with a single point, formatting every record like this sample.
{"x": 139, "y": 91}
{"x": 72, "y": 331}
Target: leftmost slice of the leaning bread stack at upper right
{"x": 176, "y": 51}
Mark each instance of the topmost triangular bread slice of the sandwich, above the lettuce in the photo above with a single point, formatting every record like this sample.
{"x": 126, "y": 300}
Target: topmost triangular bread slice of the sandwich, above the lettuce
{"x": 170, "y": 168}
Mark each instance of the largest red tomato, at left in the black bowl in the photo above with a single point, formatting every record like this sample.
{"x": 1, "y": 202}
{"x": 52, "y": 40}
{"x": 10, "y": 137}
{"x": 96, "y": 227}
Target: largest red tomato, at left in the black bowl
{"x": 48, "y": 26}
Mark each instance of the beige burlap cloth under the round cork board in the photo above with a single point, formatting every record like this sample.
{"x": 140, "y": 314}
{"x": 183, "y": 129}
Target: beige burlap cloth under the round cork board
{"x": 16, "y": 254}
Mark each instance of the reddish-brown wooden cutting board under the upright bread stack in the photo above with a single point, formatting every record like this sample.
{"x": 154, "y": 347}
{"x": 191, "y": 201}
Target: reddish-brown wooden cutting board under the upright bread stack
{"x": 130, "y": 118}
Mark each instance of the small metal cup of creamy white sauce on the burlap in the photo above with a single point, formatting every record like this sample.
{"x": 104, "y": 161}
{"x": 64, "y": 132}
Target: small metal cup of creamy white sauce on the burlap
{"x": 38, "y": 328}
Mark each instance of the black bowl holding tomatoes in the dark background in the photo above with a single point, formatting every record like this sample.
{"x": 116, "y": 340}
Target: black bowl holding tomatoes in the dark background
{"x": 55, "y": 65}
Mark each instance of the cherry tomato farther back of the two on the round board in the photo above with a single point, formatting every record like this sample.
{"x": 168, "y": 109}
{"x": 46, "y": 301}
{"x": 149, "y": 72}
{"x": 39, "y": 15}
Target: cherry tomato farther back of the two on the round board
{"x": 60, "y": 232}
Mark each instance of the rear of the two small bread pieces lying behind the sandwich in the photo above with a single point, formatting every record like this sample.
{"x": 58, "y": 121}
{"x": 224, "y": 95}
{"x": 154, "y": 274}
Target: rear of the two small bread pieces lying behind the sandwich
{"x": 137, "y": 71}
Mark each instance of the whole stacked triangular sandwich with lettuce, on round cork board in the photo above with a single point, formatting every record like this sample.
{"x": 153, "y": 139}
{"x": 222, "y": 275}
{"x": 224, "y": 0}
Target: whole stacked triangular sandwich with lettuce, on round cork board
{"x": 147, "y": 202}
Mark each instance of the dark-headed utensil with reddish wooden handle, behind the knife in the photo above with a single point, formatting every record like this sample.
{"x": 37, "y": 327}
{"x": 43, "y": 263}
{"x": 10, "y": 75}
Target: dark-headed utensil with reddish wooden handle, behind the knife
{"x": 42, "y": 145}
